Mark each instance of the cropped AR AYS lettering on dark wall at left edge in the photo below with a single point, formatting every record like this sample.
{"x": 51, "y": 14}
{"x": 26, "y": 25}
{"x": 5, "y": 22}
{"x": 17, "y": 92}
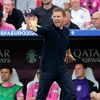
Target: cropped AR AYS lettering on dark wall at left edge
{"x": 4, "y": 56}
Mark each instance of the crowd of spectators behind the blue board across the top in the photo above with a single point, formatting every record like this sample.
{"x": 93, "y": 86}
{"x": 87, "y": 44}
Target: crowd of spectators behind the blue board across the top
{"x": 80, "y": 14}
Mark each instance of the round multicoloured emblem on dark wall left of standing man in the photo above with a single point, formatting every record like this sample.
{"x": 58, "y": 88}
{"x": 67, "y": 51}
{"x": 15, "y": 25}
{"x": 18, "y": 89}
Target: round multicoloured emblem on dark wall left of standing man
{"x": 31, "y": 56}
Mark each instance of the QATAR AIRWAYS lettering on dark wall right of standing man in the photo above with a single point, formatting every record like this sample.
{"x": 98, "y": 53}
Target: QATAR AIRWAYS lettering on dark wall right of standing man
{"x": 87, "y": 55}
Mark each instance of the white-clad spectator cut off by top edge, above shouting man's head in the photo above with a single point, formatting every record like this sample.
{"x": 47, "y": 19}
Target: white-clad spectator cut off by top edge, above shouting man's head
{"x": 62, "y": 3}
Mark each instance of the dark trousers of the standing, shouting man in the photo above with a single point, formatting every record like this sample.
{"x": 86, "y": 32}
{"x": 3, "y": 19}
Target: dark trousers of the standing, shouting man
{"x": 64, "y": 81}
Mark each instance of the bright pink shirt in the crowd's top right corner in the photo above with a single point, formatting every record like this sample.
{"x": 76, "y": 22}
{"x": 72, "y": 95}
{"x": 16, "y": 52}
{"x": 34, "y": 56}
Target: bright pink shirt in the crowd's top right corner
{"x": 95, "y": 5}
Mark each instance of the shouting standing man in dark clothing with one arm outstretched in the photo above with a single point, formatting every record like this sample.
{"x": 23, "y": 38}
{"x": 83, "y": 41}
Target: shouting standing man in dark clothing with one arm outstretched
{"x": 55, "y": 52}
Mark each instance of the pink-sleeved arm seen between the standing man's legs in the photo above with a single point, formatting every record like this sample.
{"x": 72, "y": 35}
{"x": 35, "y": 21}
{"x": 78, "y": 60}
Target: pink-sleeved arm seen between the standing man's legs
{"x": 53, "y": 92}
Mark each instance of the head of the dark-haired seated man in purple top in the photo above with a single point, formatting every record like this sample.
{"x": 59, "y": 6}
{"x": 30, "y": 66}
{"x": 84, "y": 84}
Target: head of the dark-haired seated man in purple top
{"x": 80, "y": 69}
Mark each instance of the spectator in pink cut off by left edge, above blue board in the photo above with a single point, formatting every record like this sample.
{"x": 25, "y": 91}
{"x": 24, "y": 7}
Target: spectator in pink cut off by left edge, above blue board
{"x": 4, "y": 25}
